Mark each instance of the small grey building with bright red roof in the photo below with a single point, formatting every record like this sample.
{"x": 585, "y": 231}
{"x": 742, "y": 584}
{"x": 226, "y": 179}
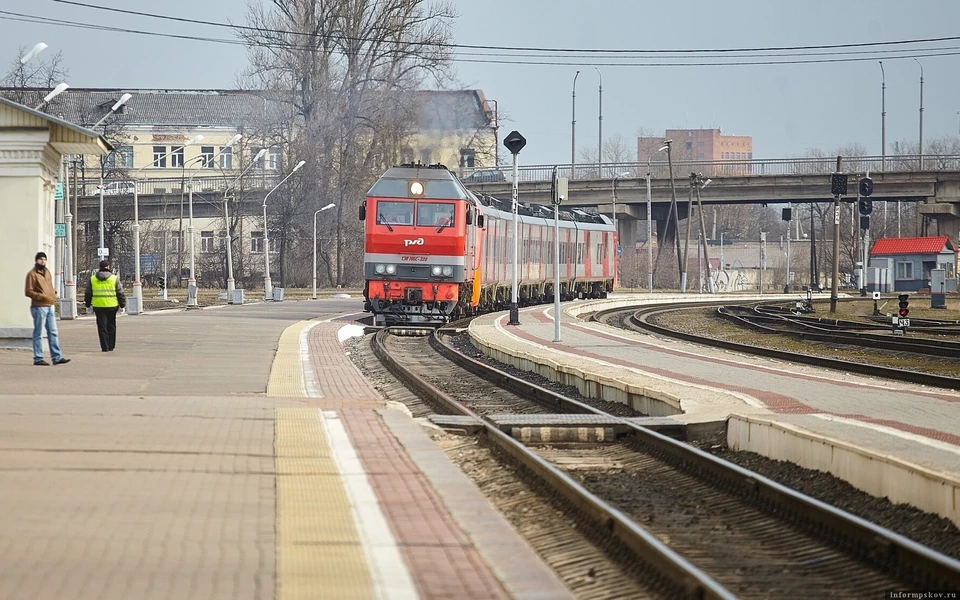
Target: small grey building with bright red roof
{"x": 907, "y": 262}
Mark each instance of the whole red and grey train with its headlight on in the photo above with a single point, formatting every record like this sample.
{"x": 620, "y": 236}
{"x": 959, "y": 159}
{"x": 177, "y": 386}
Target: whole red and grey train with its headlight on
{"x": 435, "y": 252}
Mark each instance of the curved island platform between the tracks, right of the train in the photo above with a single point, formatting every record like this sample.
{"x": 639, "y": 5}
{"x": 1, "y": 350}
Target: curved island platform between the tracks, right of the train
{"x": 890, "y": 439}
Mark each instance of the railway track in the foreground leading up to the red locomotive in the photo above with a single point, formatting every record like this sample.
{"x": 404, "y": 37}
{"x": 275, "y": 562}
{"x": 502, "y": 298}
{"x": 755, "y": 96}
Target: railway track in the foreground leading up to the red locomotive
{"x": 697, "y": 526}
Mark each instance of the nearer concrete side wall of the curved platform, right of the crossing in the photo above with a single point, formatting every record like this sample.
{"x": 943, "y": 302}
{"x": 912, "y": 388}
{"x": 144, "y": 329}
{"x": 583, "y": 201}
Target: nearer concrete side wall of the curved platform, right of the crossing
{"x": 877, "y": 474}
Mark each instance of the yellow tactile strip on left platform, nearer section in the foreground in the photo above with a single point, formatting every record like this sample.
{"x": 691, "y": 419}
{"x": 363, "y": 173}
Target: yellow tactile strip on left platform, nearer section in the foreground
{"x": 319, "y": 551}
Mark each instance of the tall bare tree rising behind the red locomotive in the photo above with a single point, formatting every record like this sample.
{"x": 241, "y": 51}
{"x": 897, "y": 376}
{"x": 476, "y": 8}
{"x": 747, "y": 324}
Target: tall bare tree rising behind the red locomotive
{"x": 346, "y": 68}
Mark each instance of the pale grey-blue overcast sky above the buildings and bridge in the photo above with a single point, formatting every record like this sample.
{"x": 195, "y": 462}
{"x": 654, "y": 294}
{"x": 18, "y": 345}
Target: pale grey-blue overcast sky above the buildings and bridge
{"x": 787, "y": 109}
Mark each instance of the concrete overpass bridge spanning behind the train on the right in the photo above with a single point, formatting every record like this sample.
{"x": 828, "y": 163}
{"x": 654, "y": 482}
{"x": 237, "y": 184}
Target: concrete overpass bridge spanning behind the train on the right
{"x": 935, "y": 188}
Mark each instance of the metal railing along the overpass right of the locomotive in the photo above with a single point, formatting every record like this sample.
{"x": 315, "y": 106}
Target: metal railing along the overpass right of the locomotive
{"x": 740, "y": 168}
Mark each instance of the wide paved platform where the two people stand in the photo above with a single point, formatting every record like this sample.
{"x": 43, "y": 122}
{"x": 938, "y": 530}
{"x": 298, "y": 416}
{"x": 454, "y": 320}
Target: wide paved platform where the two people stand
{"x": 235, "y": 452}
